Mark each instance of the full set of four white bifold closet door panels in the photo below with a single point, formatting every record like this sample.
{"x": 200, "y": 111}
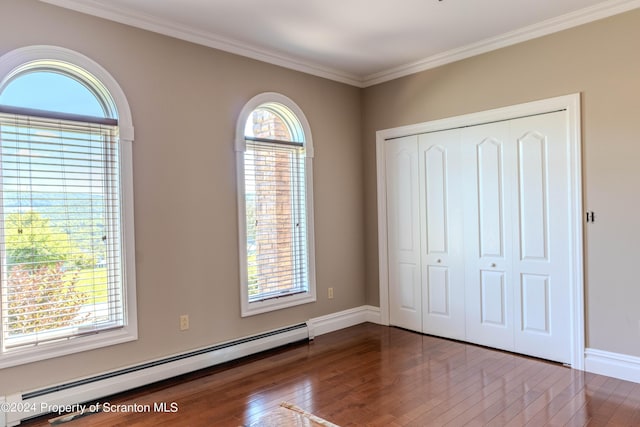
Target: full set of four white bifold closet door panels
{"x": 478, "y": 242}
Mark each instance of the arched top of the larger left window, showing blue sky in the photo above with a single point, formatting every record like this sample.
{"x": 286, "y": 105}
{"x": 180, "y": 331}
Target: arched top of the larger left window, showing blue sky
{"x": 56, "y": 79}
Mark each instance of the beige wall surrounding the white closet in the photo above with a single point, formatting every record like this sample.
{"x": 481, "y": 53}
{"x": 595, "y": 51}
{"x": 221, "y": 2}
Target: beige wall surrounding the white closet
{"x": 599, "y": 60}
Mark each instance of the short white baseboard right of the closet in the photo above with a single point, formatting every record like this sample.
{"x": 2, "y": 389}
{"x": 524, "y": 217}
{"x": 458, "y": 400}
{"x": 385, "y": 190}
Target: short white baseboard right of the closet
{"x": 614, "y": 365}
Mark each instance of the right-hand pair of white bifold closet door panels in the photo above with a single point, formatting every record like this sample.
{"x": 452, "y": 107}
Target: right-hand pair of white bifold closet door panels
{"x": 516, "y": 239}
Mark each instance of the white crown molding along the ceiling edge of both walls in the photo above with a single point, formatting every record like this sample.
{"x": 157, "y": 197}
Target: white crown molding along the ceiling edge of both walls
{"x": 150, "y": 23}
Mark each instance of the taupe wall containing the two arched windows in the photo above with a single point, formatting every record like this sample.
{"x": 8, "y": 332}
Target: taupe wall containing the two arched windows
{"x": 185, "y": 100}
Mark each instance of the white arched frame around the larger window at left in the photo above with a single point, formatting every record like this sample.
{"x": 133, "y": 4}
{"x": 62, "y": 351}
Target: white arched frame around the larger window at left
{"x": 107, "y": 90}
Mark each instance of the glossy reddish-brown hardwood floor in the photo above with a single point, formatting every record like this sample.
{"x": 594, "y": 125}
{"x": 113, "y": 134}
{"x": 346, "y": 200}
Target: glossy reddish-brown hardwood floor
{"x": 371, "y": 375}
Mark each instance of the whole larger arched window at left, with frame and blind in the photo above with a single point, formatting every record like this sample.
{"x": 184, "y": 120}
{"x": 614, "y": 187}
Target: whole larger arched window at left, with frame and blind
{"x": 66, "y": 269}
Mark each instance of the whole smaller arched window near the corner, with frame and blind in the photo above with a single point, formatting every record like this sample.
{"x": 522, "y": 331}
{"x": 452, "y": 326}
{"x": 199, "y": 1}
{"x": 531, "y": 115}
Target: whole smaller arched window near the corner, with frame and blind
{"x": 274, "y": 152}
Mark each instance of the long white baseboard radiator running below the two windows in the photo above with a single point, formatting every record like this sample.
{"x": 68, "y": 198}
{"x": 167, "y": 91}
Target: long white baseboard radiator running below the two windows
{"x": 103, "y": 385}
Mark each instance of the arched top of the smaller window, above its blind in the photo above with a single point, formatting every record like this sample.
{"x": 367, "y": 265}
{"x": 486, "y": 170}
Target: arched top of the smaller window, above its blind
{"x": 272, "y": 116}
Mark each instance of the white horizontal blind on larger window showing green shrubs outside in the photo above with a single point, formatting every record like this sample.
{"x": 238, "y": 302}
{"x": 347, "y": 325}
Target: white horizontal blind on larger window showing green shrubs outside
{"x": 60, "y": 229}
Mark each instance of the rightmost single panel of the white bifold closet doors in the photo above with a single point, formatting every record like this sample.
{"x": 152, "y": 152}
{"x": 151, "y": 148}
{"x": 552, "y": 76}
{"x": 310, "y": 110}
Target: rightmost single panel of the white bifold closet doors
{"x": 541, "y": 221}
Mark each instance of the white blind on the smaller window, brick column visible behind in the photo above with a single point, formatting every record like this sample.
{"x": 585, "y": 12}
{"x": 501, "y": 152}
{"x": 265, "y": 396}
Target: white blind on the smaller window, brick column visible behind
{"x": 277, "y": 256}
